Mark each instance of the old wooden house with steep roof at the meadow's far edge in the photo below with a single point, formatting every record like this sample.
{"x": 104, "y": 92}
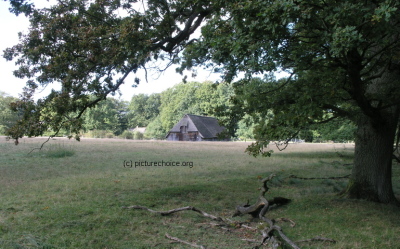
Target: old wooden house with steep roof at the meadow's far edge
{"x": 196, "y": 128}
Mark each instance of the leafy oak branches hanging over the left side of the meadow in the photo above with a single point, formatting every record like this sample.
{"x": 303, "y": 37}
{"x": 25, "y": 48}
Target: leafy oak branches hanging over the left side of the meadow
{"x": 88, "y": 48}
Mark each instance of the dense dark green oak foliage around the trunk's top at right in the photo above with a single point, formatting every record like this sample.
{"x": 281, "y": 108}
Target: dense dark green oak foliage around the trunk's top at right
{"x": 335, "y": 53}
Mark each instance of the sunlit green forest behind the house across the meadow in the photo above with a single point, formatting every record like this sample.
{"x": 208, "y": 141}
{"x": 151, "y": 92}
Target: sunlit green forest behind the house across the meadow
{"x": 158, "y": 112}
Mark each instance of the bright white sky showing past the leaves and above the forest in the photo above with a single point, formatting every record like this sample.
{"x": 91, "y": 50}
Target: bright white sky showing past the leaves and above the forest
{"x": 10, "y": 25}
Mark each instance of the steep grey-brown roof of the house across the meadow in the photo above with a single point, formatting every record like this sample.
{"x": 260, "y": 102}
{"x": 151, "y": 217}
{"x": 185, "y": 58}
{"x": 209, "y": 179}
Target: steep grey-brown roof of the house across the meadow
{"x": 208, "y": 127}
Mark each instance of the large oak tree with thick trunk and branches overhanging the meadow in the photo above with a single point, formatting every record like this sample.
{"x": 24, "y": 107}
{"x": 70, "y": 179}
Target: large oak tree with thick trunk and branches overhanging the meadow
{"x": 342, "y": 56}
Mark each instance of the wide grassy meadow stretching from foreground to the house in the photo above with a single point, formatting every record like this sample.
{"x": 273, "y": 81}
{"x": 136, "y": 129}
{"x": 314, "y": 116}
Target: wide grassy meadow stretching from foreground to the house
{"x": 70, "y": 195}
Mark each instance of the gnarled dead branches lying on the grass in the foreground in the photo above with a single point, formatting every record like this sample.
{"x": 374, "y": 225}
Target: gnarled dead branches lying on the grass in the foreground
{"x": 273, "y": 236}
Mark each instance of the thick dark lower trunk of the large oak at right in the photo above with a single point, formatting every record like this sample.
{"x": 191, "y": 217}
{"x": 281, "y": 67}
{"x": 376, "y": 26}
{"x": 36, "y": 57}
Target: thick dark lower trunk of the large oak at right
{"x": 371, "y": 177}
